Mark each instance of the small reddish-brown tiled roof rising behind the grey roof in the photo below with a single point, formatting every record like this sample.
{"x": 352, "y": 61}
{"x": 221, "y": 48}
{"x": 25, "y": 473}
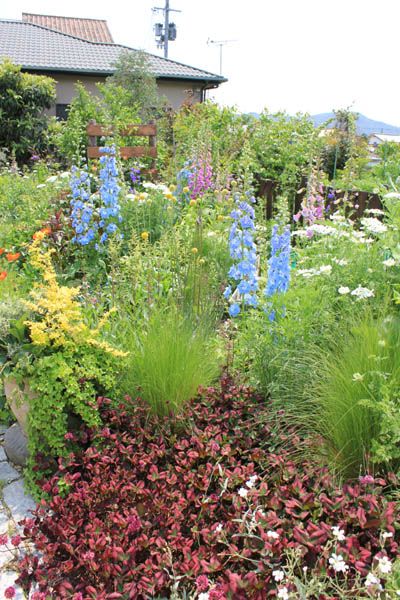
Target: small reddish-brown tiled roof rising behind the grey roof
{"x": 94, "y": 30}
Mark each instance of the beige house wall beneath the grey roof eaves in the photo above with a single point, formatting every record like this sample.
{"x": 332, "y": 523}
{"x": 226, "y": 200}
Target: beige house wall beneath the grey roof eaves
{"x": 175, "y": 91}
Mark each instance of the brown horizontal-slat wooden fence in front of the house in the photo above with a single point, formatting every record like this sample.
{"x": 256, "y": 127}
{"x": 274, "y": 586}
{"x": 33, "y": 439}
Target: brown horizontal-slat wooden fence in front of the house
{"x": 148, "y": 130}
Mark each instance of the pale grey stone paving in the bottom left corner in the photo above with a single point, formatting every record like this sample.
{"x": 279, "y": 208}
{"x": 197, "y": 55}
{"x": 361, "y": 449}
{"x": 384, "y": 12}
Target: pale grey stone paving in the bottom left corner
{"x": 15, "y": 505}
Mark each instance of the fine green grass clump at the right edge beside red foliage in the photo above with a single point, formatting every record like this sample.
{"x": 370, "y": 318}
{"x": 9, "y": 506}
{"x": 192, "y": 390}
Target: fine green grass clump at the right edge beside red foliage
{"x": 356, "y": 398}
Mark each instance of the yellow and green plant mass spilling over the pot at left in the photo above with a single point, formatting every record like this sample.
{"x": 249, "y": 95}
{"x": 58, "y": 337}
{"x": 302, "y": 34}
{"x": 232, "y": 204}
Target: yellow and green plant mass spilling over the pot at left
{"x": 66, "y": 362}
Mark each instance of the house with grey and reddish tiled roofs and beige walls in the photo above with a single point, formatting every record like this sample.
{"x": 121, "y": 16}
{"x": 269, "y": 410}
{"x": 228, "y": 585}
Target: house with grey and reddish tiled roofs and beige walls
{"x": 72, "y": 50}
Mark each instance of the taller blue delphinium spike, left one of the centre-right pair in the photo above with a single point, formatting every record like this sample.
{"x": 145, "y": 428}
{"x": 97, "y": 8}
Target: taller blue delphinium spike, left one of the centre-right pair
{"x": 243, "y": 250}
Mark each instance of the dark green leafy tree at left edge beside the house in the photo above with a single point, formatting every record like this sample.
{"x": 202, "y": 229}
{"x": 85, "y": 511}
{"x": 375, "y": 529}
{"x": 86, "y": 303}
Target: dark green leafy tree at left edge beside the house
{"x": 23, "y": 98}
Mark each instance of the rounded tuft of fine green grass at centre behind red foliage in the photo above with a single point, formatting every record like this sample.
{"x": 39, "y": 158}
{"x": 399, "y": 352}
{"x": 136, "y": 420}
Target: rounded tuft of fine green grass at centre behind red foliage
{"x": 169, "y": 360}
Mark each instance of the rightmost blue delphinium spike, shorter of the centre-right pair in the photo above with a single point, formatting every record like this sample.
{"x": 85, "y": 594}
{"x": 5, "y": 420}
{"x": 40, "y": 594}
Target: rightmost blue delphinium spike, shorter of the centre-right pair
{"x": 278, "y": 265}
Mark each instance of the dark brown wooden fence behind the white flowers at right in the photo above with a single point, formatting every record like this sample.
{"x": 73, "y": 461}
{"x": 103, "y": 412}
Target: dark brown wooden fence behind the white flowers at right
{"x": 360, "y": 201}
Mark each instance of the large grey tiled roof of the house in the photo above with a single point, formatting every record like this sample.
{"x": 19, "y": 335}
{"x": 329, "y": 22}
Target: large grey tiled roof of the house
{"x": 37, "y": 48}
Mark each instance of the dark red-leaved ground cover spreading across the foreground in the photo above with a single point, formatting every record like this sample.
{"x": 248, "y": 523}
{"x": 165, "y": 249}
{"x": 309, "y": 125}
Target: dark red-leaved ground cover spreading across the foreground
{"x": 138, "y": 511}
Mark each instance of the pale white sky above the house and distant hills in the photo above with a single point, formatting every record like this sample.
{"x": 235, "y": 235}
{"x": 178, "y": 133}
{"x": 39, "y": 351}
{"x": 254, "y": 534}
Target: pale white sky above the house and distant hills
{"x": 295, "y": 55}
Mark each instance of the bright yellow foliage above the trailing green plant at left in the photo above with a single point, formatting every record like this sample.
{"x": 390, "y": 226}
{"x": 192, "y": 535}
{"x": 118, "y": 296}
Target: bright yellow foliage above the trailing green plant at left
{"x": 59, "y": 315}
